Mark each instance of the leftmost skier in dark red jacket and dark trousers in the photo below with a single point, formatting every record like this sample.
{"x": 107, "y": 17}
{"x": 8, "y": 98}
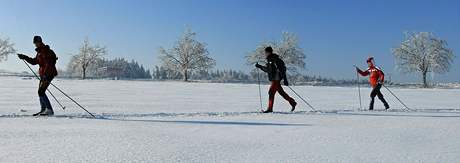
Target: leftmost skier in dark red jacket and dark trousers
{"x": 46, "y": 59}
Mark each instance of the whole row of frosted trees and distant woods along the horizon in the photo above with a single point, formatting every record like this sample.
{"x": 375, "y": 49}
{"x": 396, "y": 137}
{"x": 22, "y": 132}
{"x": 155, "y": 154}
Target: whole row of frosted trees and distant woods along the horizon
{"x": 189, "y": 59}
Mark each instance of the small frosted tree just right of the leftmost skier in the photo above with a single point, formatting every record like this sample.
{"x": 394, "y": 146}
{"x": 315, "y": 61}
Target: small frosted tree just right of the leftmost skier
{"x": 88, "y": 55}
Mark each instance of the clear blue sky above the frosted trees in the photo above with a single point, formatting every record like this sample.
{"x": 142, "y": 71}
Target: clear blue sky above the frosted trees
{"x": 335, "y": 34}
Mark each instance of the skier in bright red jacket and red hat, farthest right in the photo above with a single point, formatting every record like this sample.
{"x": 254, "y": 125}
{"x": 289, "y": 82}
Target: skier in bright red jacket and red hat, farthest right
{"x": 376, "y": 79}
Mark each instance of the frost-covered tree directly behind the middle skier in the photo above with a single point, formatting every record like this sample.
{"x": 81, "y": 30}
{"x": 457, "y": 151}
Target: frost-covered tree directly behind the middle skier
{"x": 287, "y": 48}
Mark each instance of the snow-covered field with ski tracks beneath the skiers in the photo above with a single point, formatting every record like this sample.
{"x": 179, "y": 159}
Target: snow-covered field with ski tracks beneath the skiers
{"x": 142, "y": 121}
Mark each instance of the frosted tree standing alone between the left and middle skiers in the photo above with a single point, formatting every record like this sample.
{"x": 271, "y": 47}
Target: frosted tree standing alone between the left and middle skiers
{"x": 187, "y": 55}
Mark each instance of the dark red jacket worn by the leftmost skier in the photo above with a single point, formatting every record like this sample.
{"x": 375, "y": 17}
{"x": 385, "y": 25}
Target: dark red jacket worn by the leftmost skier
{"x": 46, "y": 59}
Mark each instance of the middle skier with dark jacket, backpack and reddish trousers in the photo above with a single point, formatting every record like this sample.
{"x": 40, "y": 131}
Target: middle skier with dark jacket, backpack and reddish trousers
{"x": 276, "y": 70}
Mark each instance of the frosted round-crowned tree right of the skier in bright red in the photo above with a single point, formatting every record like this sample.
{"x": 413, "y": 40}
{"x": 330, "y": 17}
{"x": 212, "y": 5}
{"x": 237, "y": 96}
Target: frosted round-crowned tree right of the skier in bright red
{"x": 423, "y": 52}
